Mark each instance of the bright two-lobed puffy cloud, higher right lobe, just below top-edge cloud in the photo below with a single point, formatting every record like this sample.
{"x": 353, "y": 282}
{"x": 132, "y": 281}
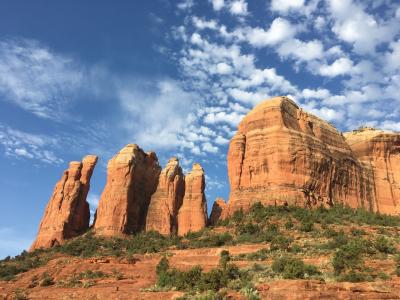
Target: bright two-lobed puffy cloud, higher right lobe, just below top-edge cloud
{"x": 280, "y": 30}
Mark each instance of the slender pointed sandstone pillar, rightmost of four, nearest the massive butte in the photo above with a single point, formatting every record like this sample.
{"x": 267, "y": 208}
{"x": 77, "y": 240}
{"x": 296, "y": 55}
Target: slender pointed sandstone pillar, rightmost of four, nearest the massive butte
{"x": 192, "y": 215}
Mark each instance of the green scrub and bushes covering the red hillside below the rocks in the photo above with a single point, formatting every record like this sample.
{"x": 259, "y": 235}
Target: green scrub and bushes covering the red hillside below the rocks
{"x": 350, "y": 239}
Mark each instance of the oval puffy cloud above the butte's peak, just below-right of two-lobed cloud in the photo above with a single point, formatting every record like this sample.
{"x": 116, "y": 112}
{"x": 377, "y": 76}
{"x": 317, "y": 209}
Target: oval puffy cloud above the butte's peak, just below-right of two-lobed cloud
{"x": 300, "y": 50}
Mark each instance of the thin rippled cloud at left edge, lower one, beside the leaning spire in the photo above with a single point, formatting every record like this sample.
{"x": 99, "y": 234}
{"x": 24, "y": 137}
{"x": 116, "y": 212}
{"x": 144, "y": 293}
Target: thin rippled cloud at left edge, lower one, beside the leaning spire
{"x": 20, "y": 144}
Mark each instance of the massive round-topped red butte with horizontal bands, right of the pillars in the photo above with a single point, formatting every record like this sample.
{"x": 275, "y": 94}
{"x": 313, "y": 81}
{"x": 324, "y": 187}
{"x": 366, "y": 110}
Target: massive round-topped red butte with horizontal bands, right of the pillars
{"x": 282, "y": 155}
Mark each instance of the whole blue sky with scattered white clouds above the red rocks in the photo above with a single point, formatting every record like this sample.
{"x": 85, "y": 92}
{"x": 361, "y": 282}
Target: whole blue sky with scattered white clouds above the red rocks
{"x": 175, "y": 77}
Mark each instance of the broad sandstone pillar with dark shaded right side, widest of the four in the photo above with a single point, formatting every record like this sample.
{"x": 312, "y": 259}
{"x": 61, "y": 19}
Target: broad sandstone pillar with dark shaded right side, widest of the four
{"x": 132, "y": 177}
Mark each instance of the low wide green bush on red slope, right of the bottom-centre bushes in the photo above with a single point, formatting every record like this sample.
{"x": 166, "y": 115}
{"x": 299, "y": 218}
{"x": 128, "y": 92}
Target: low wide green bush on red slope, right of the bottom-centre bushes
{"x": 292, "y": 268}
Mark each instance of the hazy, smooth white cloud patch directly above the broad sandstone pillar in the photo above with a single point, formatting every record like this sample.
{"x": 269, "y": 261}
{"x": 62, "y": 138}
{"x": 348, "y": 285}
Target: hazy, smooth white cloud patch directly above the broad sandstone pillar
{"x": 159, "y": 125}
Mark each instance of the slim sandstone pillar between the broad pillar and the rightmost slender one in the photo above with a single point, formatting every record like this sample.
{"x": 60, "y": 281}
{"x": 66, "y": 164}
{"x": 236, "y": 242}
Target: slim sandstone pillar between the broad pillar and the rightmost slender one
{"x": 165, "y": 202}
